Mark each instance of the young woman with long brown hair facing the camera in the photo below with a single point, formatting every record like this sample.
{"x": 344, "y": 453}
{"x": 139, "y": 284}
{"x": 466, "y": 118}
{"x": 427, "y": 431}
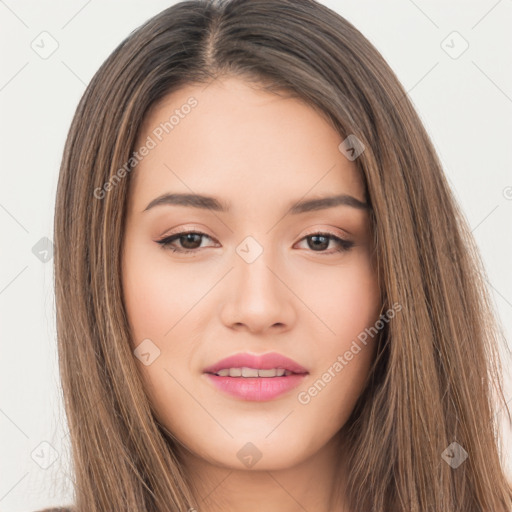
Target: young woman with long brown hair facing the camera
{"x": 267, "y": 296}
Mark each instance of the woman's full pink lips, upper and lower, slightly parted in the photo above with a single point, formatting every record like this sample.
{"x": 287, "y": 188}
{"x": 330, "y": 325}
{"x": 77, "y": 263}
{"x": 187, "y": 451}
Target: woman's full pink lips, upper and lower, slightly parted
{"x": 256, "y": 388}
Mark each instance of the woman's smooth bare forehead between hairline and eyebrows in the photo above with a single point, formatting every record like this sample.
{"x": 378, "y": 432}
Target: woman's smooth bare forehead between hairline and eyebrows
{"x": 230, "y": 138}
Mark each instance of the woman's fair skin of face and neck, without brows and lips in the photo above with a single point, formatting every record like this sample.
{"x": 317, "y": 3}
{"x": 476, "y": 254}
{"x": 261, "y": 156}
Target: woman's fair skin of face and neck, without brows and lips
{"x": 260, "y": 152}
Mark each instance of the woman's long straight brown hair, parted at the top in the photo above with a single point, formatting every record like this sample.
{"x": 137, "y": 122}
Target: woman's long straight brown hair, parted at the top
{"x": 436, "y": 378}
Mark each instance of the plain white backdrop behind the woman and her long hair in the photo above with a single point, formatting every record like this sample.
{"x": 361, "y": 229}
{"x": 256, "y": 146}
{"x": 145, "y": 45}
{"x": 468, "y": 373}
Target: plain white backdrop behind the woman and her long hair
{"x": 465, "y": 103}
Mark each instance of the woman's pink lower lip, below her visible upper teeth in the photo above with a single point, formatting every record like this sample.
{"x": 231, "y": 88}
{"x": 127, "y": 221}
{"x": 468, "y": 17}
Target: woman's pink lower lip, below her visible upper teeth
{"x": 259, "y": 389}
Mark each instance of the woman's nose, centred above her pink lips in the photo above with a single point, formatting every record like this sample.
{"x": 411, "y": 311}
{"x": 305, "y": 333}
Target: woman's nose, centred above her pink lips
{"x": 257, "y": 296}
